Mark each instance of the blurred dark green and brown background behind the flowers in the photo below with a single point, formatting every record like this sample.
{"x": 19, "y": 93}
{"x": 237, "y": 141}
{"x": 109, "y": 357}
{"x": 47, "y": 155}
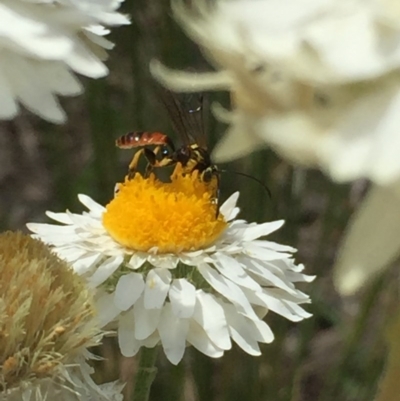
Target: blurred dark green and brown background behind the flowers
{"x": 337, "y": 354}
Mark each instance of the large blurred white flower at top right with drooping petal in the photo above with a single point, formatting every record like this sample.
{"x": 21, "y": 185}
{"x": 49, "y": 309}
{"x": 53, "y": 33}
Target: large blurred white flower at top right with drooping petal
{"x": 318, "y": 81}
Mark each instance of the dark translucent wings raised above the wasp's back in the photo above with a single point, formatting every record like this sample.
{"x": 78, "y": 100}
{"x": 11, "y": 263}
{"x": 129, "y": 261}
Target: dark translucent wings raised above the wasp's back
{"x": 187, "y": 115}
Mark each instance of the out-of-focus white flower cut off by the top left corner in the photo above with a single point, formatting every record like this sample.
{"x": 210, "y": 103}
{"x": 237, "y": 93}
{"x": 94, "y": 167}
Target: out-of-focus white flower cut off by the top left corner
{"x": 43, "y": 42}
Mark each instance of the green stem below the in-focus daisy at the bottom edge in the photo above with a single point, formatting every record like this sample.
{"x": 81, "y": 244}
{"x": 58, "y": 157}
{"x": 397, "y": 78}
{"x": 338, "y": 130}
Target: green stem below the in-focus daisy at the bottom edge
{"x": 146, "y": 373}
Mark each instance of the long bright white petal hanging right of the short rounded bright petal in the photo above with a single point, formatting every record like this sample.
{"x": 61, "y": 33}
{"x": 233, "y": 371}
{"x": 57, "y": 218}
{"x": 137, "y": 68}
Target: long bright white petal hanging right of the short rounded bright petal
{"x": 210, "y": 315}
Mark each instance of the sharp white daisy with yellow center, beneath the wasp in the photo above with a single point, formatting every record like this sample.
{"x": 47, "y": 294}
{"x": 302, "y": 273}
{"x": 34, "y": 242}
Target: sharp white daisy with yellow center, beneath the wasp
{"x": 169, "y": 270}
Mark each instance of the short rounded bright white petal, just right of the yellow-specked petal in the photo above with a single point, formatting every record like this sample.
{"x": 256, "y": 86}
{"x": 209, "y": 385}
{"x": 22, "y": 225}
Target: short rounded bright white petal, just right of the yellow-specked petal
{"x": 182, "y": 296}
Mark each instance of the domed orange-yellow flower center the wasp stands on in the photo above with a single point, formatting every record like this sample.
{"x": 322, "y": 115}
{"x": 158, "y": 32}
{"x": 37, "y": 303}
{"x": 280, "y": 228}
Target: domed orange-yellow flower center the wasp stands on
{"x": 176, "y": 216}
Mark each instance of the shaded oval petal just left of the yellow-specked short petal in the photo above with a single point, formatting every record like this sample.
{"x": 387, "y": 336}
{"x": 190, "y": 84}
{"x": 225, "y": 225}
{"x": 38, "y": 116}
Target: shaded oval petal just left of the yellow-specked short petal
{"x": 129, "y": 288}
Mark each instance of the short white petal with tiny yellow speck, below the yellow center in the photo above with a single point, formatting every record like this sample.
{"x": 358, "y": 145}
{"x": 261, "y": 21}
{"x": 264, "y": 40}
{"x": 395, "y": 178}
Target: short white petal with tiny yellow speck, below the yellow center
{"x": 157, "y": 286}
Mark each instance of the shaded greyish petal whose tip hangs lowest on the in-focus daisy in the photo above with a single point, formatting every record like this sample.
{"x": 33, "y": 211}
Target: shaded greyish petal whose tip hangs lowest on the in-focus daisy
{"x": 173, "y": 332}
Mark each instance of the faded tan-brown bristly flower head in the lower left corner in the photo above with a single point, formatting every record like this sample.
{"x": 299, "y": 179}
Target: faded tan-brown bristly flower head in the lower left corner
{"x": 48, "y": 322}
